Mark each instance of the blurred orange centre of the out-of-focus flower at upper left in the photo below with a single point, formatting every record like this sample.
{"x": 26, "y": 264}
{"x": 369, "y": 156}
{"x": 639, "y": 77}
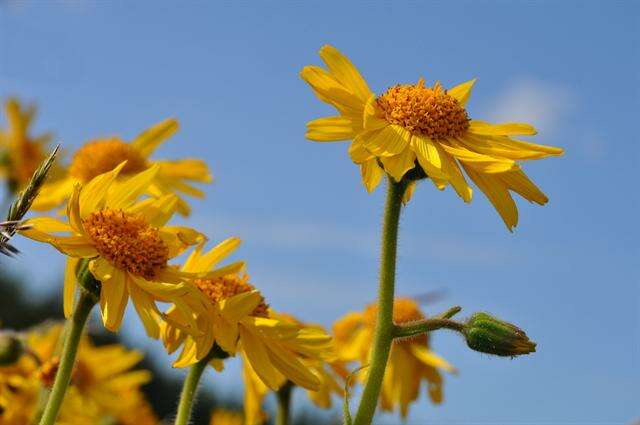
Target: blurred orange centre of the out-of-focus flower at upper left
{"x": 101, "y": 156}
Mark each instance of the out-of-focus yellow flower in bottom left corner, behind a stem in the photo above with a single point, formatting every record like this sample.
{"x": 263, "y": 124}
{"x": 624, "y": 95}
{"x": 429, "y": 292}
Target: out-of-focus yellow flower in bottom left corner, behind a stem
{"x": 103, "y": 384}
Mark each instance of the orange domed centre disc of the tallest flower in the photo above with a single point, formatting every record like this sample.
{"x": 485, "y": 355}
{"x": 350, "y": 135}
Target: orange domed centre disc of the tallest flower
{"x": 428, "y": 111}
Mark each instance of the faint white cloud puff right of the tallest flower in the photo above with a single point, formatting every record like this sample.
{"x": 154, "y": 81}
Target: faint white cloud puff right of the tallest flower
{"x": 540, "y": 103}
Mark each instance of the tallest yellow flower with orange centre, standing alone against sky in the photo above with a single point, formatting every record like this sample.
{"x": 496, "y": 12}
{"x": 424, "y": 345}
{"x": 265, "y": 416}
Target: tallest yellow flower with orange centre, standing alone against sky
{"x": 412, "y": 126}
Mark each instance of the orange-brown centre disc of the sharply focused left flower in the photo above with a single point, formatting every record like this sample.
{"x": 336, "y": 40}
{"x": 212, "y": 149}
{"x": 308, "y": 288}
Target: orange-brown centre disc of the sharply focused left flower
{"x": 128, "y": 242}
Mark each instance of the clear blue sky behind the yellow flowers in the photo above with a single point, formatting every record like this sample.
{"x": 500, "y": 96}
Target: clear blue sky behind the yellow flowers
{"x": 229, "y": 73}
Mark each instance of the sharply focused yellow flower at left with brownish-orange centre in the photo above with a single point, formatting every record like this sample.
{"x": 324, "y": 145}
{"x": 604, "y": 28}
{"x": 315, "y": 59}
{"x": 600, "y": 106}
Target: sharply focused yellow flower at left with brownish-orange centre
{"x": 127, "y": 245}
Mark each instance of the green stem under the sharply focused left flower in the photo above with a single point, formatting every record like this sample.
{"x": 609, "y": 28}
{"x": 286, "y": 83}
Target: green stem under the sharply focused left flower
{"x": 75, "y": 326}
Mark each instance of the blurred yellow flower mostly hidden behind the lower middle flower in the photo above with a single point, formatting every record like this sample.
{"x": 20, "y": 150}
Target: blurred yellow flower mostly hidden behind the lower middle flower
{"x": 331, "y": 372}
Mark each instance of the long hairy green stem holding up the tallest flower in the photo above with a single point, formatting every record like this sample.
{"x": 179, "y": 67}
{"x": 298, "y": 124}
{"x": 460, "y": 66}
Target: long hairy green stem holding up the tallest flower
{"x": 383, "y": 337}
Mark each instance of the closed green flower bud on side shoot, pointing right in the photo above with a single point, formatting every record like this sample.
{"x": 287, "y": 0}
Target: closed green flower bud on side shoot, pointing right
{"x": 487, "y": 334}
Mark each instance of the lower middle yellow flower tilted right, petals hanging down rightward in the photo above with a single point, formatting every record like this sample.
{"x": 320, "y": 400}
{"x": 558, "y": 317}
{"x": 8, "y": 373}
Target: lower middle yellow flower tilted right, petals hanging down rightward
{"x": 241, "y": 323}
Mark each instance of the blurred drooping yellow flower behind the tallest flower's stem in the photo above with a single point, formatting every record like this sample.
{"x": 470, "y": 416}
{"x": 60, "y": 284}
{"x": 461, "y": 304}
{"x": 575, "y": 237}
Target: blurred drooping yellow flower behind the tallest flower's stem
{"x": 410, "y": 360}
